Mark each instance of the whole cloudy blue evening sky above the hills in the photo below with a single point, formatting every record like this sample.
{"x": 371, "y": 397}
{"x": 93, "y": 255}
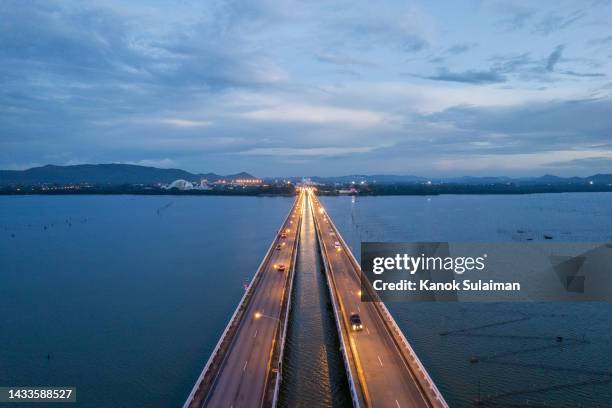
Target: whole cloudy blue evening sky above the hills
{"x": 290, "y": 88}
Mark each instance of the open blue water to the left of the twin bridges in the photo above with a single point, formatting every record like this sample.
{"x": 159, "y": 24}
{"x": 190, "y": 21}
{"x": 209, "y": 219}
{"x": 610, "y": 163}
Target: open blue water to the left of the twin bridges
{"x": 128, "y": 294}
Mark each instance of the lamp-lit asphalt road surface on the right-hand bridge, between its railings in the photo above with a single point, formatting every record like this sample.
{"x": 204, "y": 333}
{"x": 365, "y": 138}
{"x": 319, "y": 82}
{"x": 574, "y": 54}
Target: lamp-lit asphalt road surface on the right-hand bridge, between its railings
{"x": 384, "y": 376}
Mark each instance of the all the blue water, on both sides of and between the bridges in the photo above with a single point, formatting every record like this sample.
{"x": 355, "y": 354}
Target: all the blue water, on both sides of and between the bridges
{"x": 129, "y": 294}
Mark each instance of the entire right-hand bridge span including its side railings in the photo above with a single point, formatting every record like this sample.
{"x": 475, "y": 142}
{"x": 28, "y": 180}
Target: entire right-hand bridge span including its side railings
{"x": 382, "y": 368}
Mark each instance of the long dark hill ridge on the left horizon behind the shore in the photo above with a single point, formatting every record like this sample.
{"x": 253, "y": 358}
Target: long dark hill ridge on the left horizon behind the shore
{"x": 110, "y": 174}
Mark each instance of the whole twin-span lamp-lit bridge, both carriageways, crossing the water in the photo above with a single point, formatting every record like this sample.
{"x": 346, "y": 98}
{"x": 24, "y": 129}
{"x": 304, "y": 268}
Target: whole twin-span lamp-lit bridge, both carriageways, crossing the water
{"x": 245, "y": 368}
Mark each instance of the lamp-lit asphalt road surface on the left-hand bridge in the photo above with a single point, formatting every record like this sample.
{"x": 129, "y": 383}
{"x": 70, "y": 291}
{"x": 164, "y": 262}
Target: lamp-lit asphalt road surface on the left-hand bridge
{"x": 242, "y": 376}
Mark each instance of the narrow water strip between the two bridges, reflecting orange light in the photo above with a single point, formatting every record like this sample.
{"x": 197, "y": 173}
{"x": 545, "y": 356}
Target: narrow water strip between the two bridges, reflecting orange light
{"x": 313, "y": 374}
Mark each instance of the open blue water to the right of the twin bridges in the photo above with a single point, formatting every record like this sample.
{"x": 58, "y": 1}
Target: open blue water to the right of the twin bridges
{"x": 521, "y": 362}
